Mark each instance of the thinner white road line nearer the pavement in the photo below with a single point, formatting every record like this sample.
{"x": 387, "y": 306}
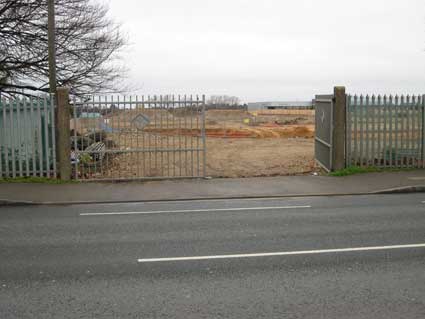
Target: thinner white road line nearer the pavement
{"x": 194, "y": 210}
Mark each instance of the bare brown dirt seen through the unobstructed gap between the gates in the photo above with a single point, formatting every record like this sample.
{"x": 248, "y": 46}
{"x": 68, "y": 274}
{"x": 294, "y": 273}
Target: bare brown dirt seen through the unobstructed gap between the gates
{"x": 263, "y": 143}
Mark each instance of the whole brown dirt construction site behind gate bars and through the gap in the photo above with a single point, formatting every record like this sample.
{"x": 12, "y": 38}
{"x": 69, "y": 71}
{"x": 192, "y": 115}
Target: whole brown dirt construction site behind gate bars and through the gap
{"x": 238, "y": 143}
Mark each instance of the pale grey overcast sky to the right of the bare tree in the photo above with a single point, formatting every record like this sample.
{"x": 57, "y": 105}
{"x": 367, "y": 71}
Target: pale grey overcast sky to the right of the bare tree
{"x": 274, "y": 49}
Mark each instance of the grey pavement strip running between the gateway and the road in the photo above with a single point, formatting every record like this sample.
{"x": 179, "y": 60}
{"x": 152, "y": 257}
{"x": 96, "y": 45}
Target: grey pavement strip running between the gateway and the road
{"x": 214, "y": 188}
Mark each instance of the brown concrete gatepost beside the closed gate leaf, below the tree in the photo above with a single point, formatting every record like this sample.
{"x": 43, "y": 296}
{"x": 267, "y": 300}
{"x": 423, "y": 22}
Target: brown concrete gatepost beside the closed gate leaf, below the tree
{"x": 63, "y": 145}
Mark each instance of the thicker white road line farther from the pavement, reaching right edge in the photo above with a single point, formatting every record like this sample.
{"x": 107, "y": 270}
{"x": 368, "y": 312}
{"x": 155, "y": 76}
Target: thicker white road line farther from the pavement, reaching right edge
{"x": 287, "y": 253}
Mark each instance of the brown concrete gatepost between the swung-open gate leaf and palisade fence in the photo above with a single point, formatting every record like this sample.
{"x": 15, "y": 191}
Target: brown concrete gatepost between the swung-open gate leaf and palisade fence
{"x": 339, "y": 125}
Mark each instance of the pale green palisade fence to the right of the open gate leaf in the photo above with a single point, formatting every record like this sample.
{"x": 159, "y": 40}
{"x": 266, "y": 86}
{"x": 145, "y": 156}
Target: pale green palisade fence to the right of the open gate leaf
{"x": 385, "y": 131}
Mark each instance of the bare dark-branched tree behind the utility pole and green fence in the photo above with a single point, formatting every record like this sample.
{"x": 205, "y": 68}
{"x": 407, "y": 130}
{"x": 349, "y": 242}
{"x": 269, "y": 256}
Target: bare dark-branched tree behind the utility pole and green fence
{"x": 88, "y": 44}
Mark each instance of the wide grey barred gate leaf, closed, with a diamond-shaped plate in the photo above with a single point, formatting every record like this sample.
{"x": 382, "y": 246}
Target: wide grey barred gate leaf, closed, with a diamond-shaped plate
{"x": 151, "y": 137}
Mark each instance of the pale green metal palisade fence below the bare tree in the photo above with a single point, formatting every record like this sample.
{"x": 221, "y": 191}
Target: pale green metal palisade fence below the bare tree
{"x": 27, "y": 137}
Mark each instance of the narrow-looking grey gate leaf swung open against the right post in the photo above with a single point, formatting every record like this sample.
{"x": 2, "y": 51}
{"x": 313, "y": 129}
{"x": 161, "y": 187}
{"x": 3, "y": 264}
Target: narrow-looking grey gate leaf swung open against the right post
{"x": 324, "y": 105}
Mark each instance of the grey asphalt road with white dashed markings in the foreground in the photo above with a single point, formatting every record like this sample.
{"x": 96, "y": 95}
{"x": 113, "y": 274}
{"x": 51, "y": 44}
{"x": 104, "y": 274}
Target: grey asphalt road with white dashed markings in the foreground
{"x": 274, "y": 258}
